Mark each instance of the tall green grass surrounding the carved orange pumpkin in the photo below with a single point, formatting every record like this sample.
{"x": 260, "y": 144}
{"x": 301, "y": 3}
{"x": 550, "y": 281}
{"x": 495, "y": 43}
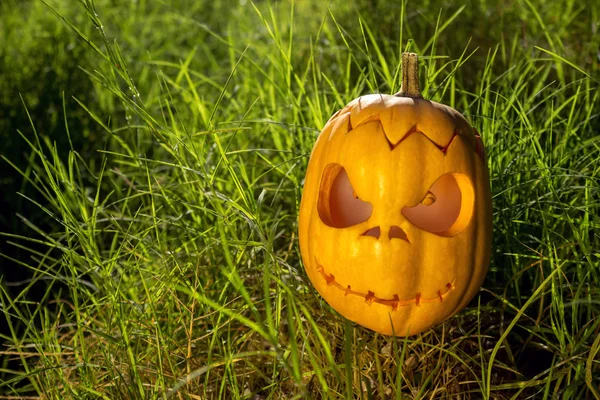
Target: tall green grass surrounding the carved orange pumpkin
{"x": 167, "y": 264}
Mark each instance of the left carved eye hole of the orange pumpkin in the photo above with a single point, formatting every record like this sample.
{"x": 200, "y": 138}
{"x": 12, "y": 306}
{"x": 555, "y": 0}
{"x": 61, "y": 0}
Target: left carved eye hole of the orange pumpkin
{"x": 339, "y": 206}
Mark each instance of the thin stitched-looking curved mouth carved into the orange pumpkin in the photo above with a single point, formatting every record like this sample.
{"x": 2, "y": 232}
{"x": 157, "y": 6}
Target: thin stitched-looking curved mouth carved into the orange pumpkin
{"x": 395, "y": 302}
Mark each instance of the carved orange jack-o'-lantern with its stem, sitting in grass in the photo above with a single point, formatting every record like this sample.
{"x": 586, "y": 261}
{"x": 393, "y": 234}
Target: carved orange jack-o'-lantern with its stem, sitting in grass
{"x": 395, "y": 218}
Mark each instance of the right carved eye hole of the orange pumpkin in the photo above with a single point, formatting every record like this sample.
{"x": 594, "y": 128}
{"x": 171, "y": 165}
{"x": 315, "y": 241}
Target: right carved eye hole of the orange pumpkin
{"x": 447, "y": 207}
